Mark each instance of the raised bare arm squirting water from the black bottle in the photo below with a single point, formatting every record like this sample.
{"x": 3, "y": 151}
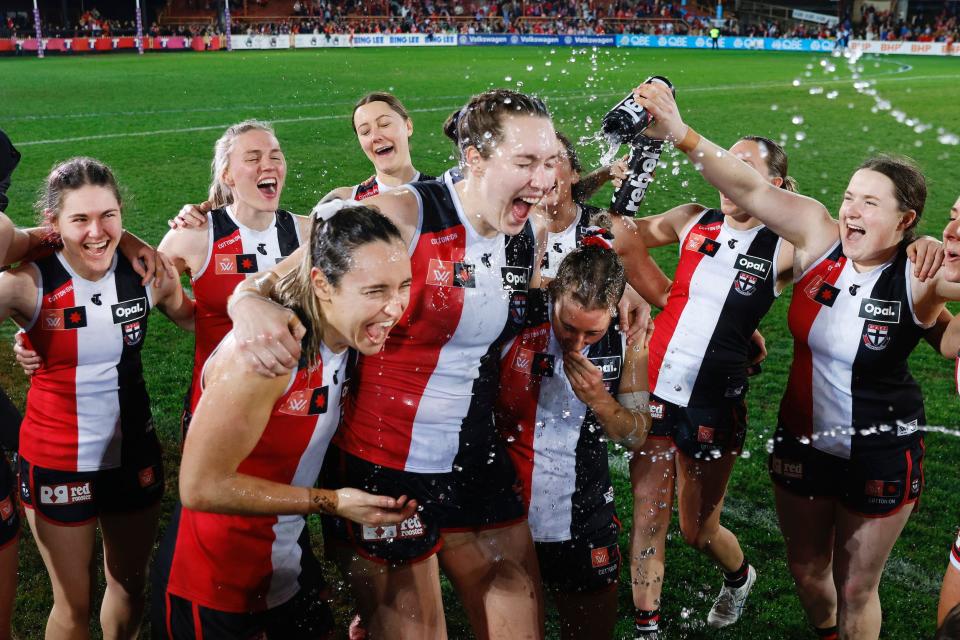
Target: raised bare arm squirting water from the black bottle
{"x": 800, "y": 220}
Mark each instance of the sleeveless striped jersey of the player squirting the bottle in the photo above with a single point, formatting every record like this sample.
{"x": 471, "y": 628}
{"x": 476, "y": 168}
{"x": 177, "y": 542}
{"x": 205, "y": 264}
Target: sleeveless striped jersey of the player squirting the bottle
{"x": 853, "y": 333}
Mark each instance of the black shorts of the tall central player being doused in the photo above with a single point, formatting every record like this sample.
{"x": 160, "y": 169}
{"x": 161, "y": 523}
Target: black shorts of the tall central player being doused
{"x": 467, "y": 499}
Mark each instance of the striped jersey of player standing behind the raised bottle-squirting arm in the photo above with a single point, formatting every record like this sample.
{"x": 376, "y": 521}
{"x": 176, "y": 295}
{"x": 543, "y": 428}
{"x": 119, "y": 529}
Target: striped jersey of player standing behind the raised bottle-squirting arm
{"x": 725, "y": 282}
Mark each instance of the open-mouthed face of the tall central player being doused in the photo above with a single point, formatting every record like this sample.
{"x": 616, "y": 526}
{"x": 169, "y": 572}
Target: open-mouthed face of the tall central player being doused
{"x": 519, "y": 171}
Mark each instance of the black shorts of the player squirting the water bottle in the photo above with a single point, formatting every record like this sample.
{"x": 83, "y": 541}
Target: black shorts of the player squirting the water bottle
{"x": 874, "y": 484}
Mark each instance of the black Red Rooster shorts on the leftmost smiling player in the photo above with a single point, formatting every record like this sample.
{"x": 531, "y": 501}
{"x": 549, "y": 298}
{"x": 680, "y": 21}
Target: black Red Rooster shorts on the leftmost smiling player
{"x": 77, "y": 497}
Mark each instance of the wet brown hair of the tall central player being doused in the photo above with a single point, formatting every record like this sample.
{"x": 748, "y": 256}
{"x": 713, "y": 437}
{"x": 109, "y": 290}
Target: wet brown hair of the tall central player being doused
{"x": 479, "y": 123}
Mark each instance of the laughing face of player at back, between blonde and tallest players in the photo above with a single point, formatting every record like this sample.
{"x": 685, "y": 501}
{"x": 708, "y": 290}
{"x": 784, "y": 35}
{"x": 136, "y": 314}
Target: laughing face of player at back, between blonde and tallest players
{"x": 384, "y": 136}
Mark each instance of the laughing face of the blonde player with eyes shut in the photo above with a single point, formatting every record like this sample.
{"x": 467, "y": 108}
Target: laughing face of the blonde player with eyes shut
{"x": 256, "y": 170}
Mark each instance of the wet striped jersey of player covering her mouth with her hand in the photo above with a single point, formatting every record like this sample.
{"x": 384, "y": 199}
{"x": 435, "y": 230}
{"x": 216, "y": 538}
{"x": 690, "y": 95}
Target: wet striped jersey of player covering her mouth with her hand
{"x": 554, "y": 439}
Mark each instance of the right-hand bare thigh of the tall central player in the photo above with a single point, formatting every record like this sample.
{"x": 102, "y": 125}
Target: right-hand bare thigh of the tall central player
{"x": 497, "y": 577}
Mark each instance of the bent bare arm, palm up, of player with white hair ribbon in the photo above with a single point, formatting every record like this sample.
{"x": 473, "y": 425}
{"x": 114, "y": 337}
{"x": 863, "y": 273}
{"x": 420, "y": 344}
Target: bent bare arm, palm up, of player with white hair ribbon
{"x": 229, "y": 421}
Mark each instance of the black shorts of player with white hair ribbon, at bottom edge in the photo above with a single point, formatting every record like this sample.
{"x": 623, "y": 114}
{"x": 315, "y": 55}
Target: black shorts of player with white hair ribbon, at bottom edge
{"x": 306, "y": 616}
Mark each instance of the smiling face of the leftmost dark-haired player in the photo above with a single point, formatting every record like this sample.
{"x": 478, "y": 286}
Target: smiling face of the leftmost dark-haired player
{"x": 90, "y": 226}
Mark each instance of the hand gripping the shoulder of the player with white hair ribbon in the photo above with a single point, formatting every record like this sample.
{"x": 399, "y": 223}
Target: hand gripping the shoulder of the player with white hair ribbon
{"x": 267, "y": 334}
